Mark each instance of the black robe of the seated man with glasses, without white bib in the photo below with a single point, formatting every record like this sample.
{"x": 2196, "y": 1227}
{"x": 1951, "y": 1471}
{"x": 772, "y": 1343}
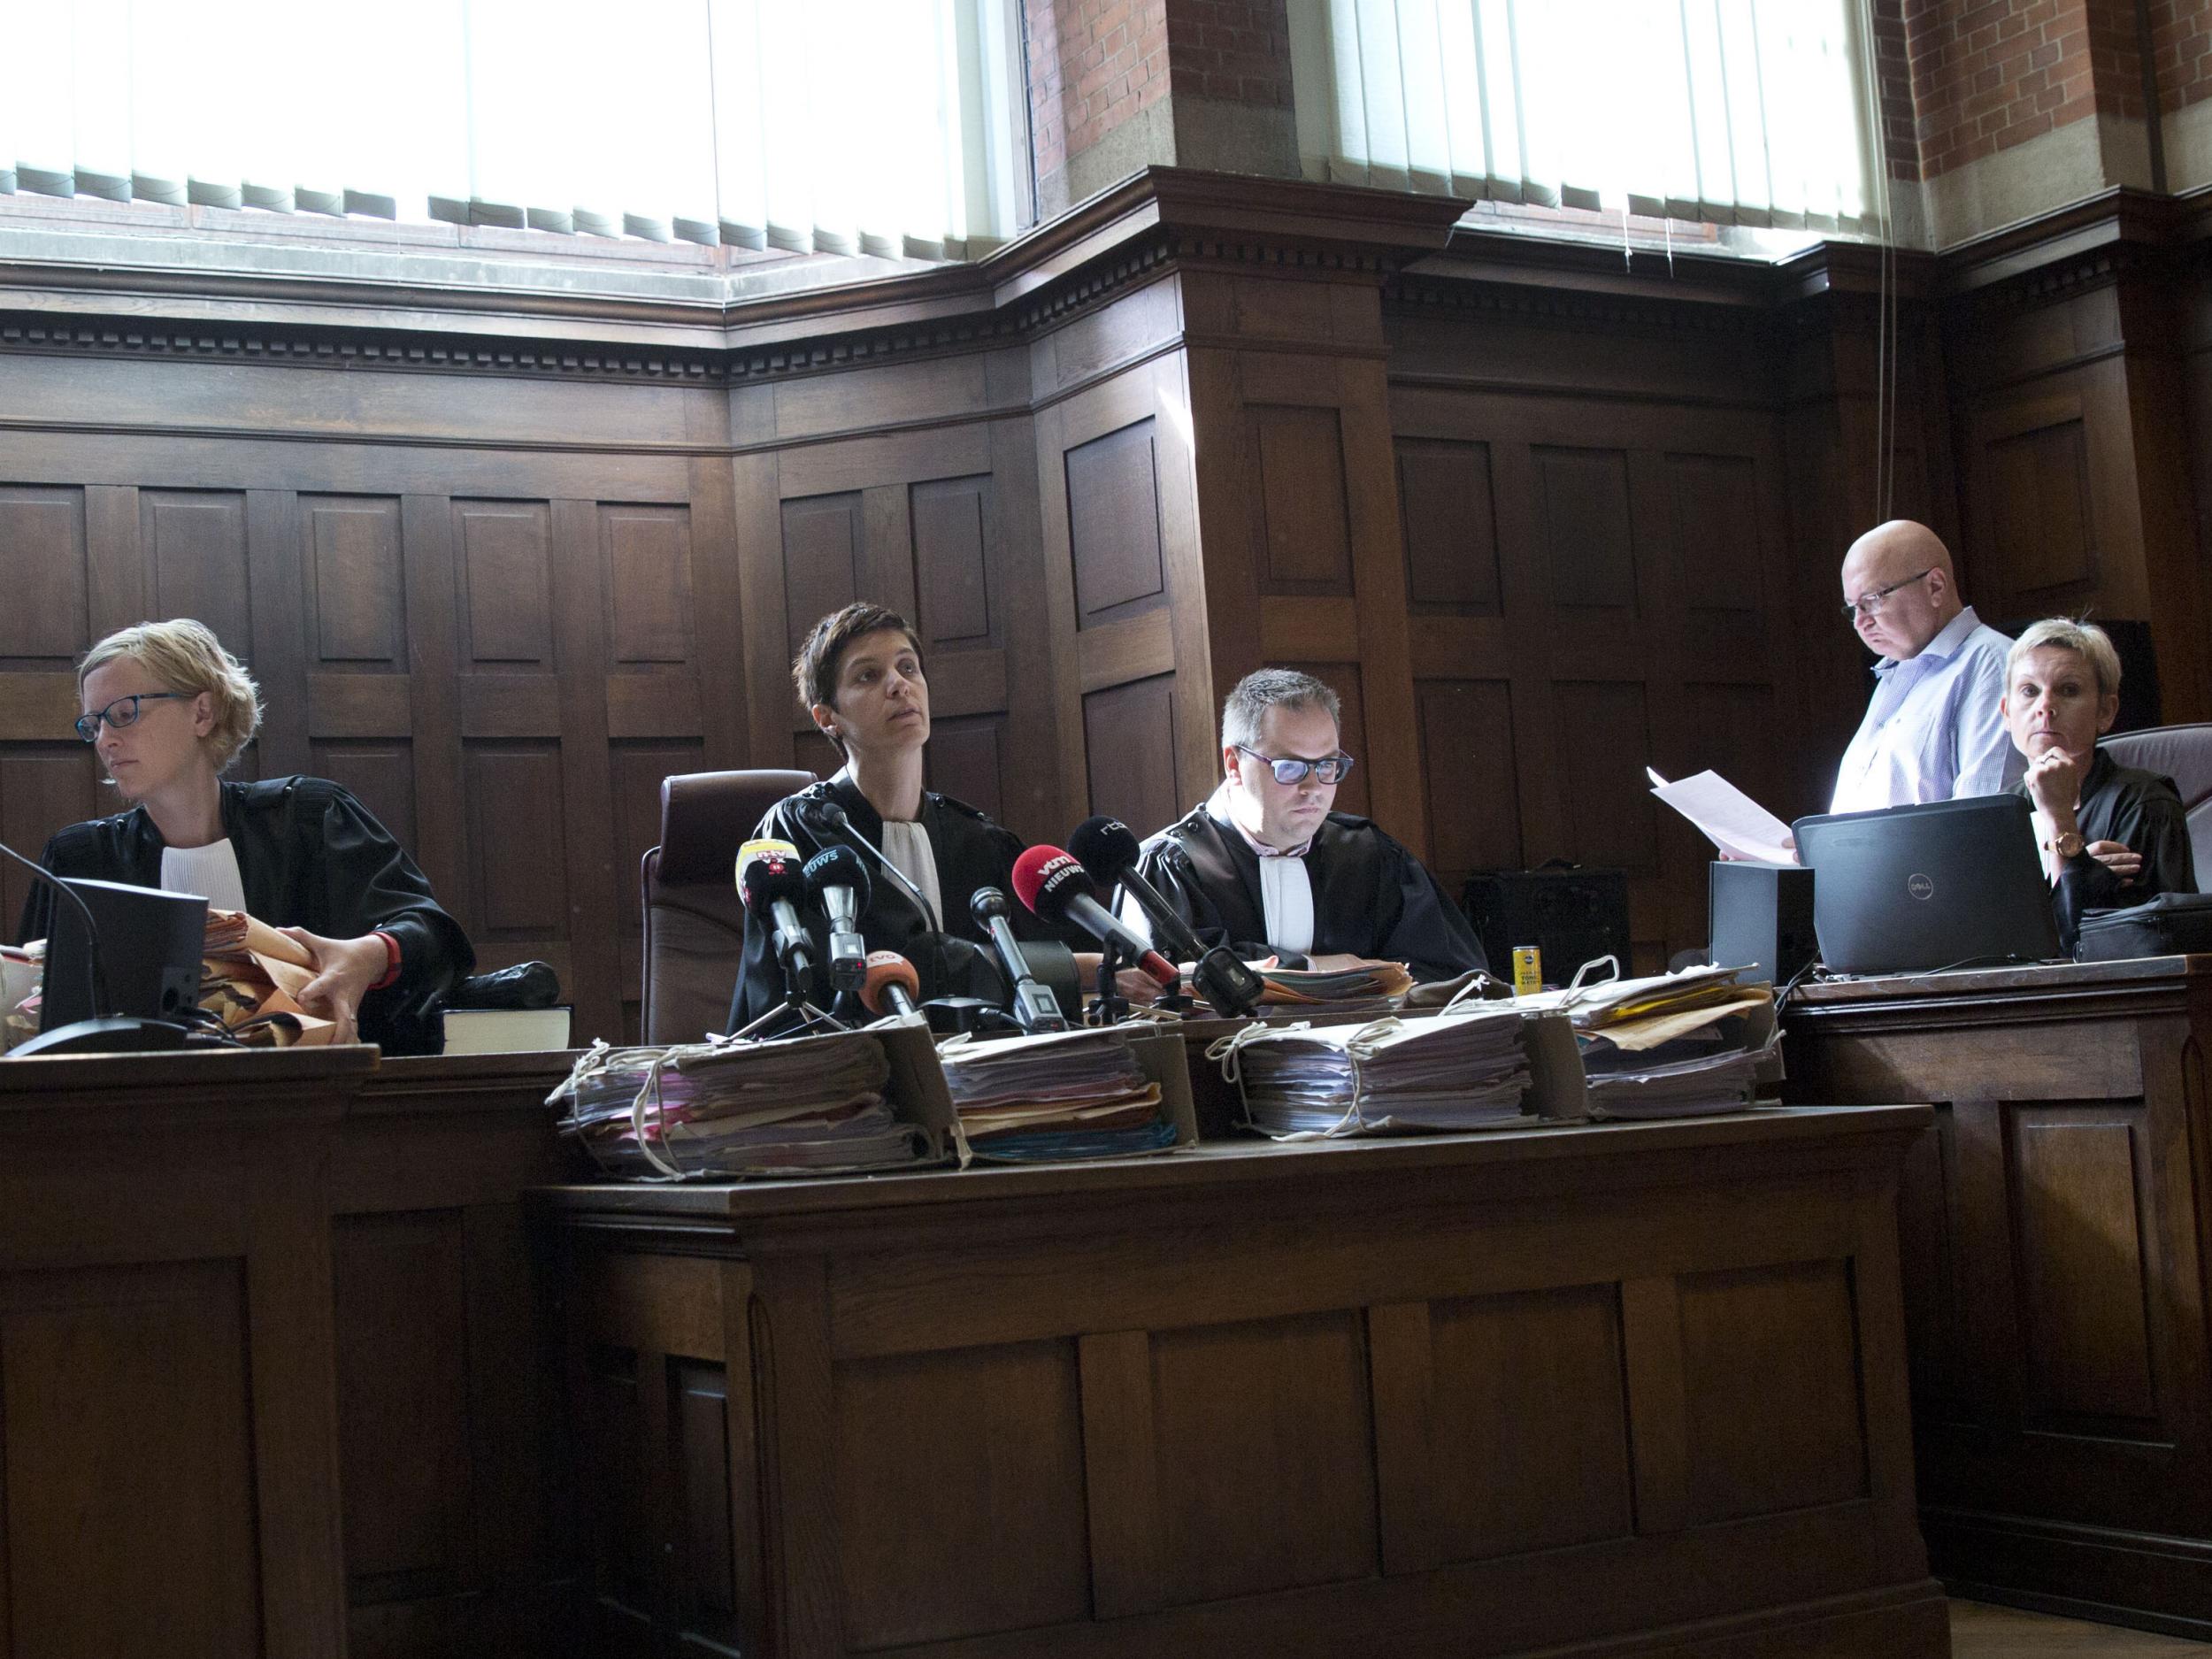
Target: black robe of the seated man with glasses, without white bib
{"x": 1370, "y": 897}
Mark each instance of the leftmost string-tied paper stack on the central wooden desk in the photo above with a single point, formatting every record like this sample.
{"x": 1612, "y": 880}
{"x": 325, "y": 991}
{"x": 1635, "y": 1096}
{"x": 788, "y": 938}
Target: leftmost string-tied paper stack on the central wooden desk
{"x": 804, "y": 1105}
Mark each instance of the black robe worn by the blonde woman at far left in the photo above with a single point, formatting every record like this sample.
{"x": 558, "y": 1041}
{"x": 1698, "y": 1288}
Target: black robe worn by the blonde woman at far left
{"x": 311, "y": 857}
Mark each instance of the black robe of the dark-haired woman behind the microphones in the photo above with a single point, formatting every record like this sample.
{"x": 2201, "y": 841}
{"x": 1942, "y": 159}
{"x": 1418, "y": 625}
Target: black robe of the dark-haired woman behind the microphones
{"x": 970, "y": 853}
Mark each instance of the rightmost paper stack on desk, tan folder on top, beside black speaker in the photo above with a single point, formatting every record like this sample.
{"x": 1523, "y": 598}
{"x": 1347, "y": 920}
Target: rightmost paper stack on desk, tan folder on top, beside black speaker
{"x": 1671, "y": 1045}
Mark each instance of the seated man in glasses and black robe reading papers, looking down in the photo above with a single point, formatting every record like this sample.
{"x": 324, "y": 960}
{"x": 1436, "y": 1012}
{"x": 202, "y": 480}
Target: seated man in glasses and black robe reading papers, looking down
{"x": 1269, "y": 870}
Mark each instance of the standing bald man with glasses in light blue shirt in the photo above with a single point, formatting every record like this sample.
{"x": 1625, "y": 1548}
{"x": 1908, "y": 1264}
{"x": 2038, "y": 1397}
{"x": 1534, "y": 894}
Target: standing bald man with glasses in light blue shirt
{"x": 1934, "y": 729}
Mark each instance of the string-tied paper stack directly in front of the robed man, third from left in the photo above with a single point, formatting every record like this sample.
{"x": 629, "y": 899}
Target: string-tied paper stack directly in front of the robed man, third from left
{"x": 1463, "y": 1070}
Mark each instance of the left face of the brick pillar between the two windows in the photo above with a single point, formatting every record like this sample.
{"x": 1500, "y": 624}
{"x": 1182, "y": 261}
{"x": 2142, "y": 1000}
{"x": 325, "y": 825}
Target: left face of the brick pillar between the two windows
{"x": 1092, "y": 67}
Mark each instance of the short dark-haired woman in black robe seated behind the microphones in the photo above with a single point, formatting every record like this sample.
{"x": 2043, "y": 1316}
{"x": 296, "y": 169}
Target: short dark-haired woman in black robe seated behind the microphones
{"x": 862, "y": 678}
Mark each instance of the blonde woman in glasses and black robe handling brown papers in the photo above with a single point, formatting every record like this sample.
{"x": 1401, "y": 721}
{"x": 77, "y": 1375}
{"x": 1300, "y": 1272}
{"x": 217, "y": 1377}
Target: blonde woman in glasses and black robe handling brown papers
{"x": 169, "y": 711}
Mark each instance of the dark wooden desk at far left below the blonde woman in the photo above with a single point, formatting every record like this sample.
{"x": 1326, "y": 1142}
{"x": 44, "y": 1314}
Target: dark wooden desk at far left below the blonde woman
{"x": 271, "y": 1359}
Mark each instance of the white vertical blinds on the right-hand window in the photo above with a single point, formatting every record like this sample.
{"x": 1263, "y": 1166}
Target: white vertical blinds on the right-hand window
{"x": 1729, "y": 112}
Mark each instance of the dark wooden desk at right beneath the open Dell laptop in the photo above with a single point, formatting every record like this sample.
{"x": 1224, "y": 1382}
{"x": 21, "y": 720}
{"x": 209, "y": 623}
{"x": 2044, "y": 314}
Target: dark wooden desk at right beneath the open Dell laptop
{"x": 2054, "y": 1235}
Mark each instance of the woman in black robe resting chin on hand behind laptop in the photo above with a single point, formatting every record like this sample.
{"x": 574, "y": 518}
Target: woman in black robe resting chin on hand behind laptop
{"x": 2111, "y": 837}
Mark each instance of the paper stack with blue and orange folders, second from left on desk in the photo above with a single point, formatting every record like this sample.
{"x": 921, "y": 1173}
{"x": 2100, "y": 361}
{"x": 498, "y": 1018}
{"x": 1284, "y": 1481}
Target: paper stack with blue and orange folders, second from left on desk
{"x": 1054, "y": 1096}
